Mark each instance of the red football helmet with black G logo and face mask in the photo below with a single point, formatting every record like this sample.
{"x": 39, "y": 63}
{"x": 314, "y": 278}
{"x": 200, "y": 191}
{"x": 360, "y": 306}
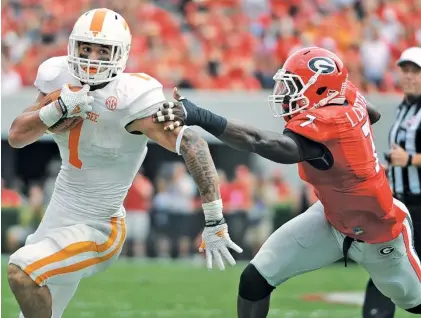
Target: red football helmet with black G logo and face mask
{"x": 311, "y": 77}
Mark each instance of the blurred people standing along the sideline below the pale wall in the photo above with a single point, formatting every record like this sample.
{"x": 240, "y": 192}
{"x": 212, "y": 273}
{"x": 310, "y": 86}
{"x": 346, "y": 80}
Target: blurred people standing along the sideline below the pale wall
{"x": 164, "y": 216}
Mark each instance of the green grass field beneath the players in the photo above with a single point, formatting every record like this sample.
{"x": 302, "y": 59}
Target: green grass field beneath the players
{"x": 186, "y": 290}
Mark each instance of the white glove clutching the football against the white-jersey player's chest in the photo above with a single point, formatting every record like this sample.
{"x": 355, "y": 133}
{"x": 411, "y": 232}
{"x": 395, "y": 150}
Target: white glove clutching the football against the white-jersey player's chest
{"x": 69, "y": 104}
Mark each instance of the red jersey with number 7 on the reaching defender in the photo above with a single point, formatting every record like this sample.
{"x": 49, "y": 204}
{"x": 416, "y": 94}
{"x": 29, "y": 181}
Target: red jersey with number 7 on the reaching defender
{"x": 354, "y": 191}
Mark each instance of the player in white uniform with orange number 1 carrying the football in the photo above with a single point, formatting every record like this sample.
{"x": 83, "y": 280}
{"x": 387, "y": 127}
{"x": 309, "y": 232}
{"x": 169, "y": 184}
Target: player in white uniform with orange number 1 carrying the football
{"x": 83, "y": 229}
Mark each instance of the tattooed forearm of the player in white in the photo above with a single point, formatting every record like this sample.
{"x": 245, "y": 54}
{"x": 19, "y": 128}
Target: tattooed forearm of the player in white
{"x": 198, "y": 159}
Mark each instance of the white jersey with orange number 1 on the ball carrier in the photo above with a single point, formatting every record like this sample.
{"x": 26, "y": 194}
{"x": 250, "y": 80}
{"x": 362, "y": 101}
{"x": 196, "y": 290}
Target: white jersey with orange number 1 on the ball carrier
{"x": 99, "y": 157}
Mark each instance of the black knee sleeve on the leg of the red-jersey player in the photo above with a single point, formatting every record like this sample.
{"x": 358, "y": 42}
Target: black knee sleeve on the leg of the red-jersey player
{"x": 253, "y": 286}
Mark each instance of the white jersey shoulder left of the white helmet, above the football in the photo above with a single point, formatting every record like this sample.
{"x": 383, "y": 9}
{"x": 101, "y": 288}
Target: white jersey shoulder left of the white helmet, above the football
{"x": 52, "y": 74}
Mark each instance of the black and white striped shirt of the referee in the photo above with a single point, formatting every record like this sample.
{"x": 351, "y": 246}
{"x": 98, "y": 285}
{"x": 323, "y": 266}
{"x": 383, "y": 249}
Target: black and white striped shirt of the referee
{"x": 406, "y": 133}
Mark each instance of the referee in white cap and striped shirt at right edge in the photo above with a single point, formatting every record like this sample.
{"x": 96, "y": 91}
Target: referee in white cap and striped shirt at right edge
{"x": 404, "y": 165}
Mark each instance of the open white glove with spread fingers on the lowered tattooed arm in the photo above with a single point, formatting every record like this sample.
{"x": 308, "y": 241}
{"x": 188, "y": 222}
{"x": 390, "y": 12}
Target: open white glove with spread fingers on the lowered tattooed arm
{"x": 215, "y": 242}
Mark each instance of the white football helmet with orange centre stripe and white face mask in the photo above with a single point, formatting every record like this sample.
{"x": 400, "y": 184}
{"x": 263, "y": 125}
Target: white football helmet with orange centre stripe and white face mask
{"x": 105, "y": 27}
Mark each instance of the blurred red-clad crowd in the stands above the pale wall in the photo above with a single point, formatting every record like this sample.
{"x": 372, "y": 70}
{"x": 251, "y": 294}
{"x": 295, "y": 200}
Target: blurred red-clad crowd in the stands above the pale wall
{"x": 220, "y": 44}
